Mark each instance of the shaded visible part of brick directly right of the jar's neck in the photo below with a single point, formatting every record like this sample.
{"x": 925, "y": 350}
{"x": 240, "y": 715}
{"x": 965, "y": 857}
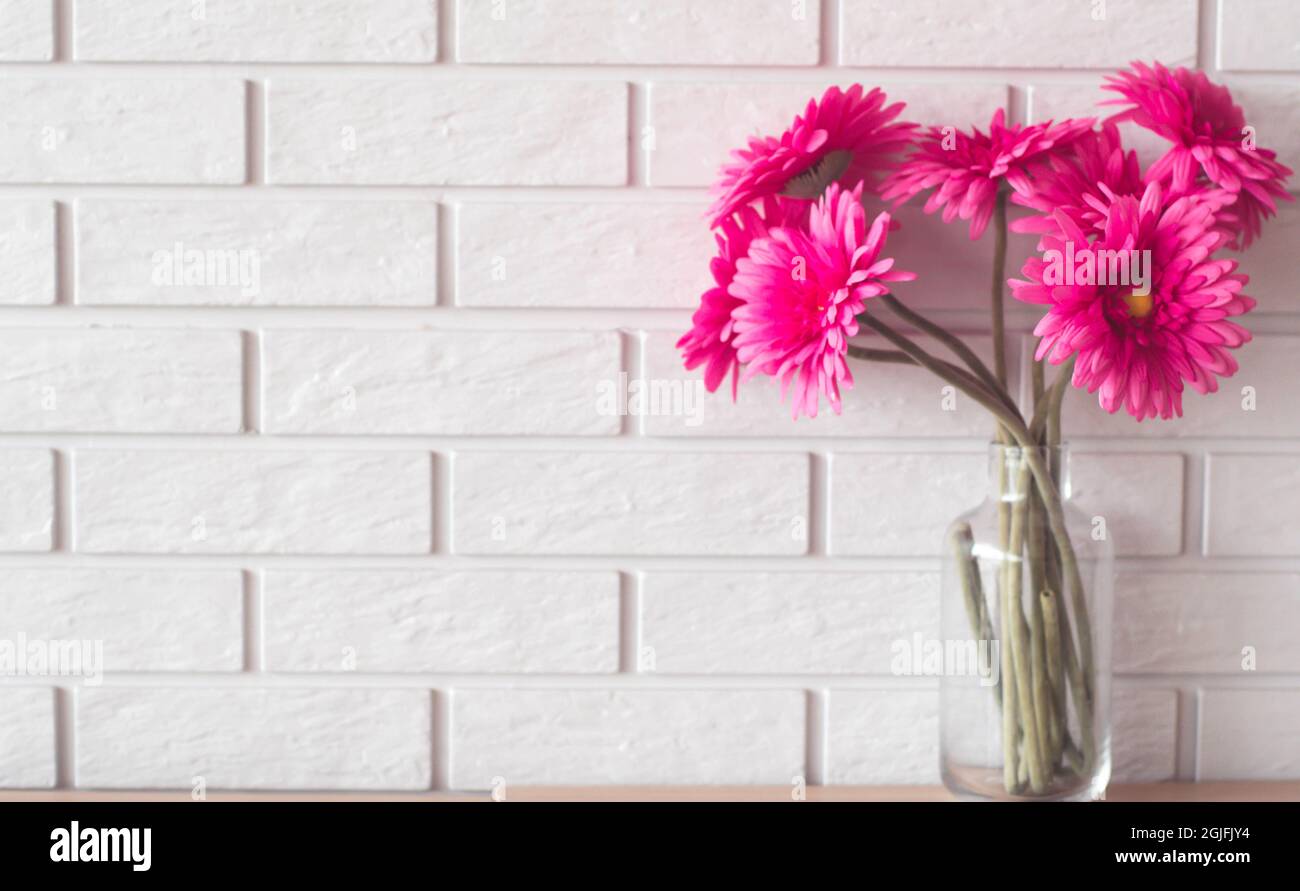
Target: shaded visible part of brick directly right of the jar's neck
{"x": 1141, "y": 496}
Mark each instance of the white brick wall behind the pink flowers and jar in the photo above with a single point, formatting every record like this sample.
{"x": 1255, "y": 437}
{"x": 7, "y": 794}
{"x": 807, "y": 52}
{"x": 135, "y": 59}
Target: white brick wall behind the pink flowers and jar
{"x": 362, "y": 522}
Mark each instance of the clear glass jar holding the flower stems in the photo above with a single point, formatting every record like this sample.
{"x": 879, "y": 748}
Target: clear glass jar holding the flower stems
{"x": 1028, "y": 590}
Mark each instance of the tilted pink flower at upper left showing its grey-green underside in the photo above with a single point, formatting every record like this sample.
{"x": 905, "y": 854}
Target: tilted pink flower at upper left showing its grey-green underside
{"x": 843, "y": 139}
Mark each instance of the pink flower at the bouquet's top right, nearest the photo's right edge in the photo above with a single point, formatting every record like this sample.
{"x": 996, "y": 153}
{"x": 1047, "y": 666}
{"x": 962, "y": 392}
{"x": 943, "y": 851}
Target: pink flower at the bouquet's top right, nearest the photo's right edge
{"x": 1210, "y": 136}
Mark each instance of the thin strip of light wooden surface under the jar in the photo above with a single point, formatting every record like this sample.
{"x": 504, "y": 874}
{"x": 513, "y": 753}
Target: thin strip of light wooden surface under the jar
{"x": 1276, "y": 791}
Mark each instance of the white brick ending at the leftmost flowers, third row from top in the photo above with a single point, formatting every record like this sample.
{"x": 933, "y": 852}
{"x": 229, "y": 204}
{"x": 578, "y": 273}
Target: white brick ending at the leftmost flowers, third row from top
{"x": 582, "y": 256}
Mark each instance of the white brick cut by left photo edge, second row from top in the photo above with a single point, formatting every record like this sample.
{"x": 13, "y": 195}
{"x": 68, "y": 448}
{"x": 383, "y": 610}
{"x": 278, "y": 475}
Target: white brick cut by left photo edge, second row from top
{"x": 123, "y": 131}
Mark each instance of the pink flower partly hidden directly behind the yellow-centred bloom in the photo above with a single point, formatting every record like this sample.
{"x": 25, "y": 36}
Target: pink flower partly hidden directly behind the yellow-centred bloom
{"x": 1081, "y": 180}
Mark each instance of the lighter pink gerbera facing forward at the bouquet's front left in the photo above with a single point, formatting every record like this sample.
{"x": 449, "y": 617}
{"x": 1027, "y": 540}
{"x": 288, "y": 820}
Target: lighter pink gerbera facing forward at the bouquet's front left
{"x": 800, "y": 293}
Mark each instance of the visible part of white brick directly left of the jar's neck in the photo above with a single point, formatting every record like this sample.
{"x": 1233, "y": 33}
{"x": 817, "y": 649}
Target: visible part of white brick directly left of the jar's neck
{"x": 900, "y": 505}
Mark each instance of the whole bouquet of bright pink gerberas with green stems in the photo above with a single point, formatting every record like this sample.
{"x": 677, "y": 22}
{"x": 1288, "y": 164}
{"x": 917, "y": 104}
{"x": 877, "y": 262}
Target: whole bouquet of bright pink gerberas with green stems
{"x": 801, "y": 269}
